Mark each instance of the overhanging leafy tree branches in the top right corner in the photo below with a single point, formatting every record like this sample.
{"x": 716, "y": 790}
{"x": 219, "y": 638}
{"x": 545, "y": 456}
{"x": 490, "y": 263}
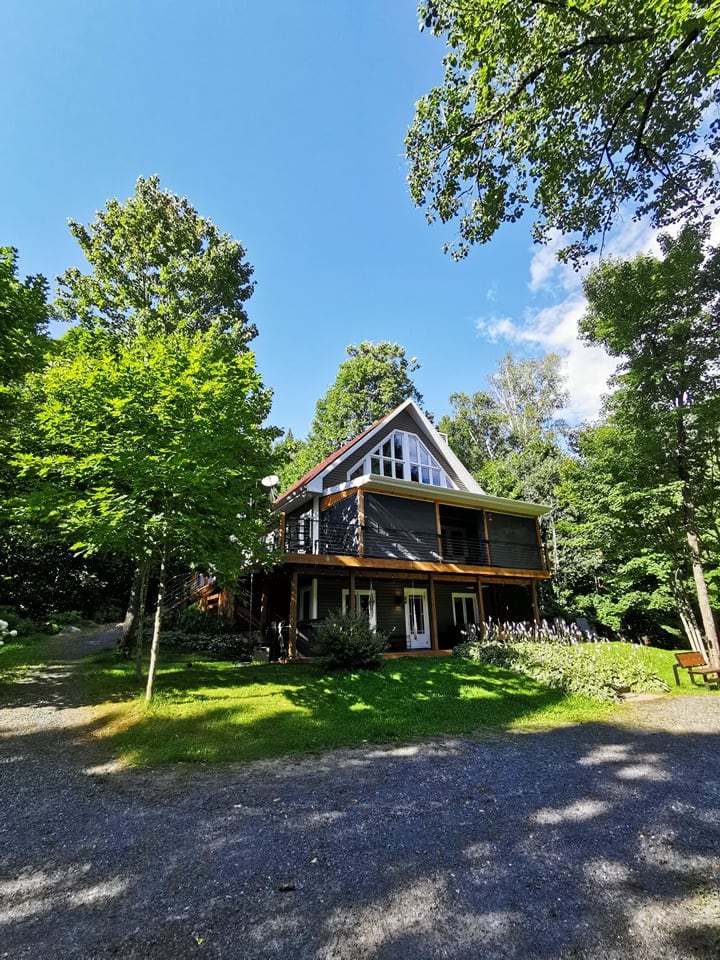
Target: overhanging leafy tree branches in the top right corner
{"x": 579, "y": 109}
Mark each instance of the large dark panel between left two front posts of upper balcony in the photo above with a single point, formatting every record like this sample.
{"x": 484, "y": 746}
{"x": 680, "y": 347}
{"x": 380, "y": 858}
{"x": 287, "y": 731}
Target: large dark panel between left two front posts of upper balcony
{"x": 400, "y": 529}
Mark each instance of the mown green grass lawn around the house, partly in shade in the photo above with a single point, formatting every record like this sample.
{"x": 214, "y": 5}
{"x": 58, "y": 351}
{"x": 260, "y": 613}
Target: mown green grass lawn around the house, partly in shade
{"x": 208, "y": 710}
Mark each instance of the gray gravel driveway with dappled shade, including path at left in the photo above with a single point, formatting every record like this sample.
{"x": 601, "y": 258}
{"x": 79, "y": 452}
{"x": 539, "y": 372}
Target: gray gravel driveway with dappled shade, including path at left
{"x": 598, "y": 841}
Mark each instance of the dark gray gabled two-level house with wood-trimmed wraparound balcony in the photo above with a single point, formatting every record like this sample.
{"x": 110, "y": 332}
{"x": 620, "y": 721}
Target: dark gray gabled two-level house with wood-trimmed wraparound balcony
{"x": 392, "y": 524}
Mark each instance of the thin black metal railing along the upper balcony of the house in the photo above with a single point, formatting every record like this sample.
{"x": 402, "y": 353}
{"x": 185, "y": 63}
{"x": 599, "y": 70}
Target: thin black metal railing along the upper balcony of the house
{"x": 319, "y": 537}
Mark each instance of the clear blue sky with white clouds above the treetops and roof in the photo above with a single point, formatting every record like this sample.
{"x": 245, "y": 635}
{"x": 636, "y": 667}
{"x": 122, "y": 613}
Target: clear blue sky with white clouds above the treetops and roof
{"x": 283, "y": 123}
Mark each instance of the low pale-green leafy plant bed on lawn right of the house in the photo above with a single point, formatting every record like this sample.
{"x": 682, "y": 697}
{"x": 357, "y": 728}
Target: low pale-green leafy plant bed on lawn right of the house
{"x": 589, "y": 669}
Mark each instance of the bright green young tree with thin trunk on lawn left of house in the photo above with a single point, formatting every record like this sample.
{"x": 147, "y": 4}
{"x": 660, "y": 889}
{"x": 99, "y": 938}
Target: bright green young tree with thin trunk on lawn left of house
{"x": 154, "y": 451}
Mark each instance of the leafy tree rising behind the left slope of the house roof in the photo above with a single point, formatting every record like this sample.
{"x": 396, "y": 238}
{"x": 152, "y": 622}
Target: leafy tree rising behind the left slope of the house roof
{"x": 370, "y": 383}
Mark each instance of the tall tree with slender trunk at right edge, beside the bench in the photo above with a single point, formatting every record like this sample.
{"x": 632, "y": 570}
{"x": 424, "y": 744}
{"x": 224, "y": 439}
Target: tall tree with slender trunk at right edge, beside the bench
{"x": 661, "y": 318}
